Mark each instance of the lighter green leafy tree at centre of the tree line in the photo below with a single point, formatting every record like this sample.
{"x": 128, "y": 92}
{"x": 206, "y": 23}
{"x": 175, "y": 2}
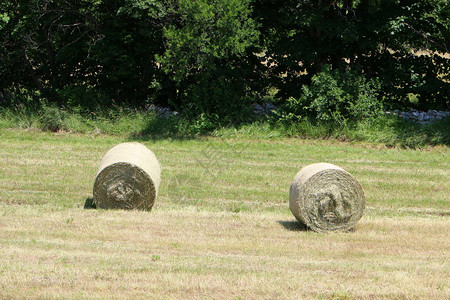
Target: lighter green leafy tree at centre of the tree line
{"x": 206, "y": 56}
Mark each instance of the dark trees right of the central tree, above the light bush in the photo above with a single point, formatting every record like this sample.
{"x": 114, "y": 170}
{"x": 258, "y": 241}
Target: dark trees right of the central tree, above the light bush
{"x": 377, "y": 38}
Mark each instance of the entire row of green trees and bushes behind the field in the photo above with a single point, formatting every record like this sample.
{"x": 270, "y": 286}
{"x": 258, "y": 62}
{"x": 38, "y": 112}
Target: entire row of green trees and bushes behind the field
{"x": 217, "y": 57}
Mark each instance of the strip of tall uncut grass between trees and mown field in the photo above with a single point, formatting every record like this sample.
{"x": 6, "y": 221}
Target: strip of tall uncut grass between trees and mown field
{"x": 137, "y": 124}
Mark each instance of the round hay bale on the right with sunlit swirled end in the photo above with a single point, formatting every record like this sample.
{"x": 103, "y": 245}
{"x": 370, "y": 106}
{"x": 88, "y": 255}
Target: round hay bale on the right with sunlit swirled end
{"x": 325, "y": 197}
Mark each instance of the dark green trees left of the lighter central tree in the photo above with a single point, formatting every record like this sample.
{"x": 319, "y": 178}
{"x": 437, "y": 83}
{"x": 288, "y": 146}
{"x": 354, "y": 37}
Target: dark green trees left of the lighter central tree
{"x": 83, "y": 53}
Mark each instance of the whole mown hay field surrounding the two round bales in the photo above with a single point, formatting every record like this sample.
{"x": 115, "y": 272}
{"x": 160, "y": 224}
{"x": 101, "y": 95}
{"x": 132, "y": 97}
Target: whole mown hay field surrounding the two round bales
{"x": 221, "y": 227}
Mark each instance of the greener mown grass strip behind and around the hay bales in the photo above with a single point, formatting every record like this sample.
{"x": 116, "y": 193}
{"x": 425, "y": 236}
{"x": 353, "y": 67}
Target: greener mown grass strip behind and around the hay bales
{"x": 58, "y": 169}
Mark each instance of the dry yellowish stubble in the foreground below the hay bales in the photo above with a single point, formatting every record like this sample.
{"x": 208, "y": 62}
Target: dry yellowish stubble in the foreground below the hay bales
{"x": 190, "y": 254}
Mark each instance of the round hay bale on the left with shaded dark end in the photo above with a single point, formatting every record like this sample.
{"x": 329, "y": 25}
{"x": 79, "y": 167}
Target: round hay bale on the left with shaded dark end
{"x": 128, "y": 178}
